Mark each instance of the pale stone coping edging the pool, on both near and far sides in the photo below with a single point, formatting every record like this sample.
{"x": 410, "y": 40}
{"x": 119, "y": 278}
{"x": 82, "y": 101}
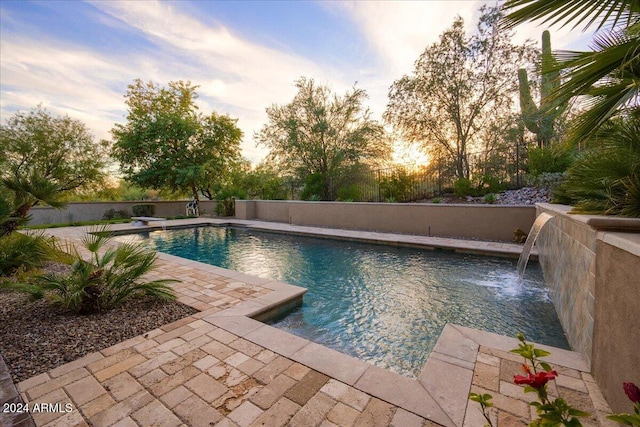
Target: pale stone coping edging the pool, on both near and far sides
{"x": 440, "y": 393}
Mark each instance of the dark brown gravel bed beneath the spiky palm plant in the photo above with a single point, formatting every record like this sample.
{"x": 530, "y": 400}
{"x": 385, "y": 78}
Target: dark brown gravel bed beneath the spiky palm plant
{"x": 36, "y": 337}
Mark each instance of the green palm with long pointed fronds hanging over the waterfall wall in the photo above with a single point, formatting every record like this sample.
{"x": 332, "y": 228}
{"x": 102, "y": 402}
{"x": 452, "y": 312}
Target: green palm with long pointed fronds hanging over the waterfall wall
{"x": 604, "y": 179}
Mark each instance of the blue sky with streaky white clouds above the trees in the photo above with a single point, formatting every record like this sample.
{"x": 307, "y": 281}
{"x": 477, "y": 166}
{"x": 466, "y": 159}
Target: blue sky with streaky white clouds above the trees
{"x": 77, "y": 57}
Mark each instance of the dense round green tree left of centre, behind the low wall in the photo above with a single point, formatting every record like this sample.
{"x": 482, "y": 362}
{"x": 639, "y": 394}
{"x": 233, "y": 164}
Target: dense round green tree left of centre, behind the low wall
{"x": 167, "y": 143}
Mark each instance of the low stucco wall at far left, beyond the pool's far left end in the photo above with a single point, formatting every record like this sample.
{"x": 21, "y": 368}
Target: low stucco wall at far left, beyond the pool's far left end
{"x": 91, "y": 211}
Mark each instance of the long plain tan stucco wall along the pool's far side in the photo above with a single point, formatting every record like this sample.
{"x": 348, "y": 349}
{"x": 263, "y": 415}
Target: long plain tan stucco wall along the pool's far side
{"x": 485, "y": 222}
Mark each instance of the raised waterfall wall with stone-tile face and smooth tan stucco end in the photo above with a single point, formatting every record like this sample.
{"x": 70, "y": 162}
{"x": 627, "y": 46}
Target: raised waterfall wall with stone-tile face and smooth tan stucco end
{"x": 592, "y": 267}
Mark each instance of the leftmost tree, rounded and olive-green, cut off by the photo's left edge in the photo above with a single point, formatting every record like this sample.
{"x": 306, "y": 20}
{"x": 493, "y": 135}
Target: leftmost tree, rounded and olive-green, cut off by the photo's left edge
{"x": 43, "y": 157}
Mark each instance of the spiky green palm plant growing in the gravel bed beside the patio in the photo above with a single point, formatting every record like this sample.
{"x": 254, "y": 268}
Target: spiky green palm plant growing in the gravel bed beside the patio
{"x": 107, "y": 279}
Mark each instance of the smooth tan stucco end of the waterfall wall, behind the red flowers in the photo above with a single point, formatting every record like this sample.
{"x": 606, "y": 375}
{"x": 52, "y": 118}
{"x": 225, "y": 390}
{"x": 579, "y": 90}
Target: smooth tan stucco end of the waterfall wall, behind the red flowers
{"x": 616, "y": 335}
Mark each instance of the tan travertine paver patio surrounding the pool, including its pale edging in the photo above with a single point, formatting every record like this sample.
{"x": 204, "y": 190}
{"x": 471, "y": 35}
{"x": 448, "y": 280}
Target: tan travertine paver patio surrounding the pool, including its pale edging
{"x": 221, "y": 367}
